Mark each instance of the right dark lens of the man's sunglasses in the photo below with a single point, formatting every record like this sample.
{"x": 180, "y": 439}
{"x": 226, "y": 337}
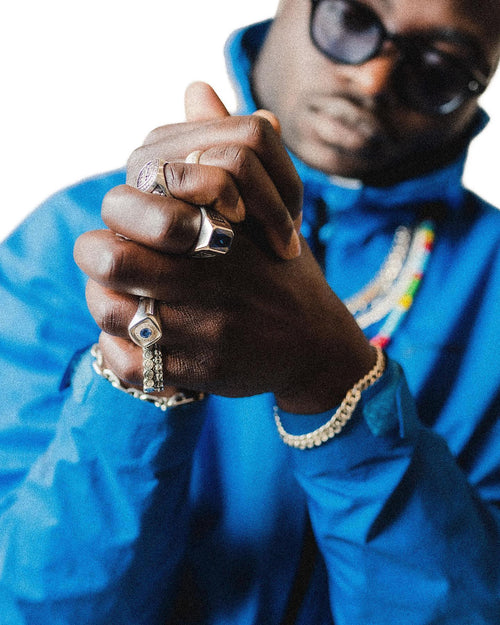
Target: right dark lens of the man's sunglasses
{"x": 432, "y": 83}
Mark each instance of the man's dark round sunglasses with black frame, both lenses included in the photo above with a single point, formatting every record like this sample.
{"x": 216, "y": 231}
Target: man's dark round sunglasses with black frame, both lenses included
{"x": 425, "y": 78}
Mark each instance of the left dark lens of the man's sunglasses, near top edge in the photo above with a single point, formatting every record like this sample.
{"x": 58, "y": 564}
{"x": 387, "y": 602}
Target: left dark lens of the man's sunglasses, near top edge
{"x": 345, "y": 31}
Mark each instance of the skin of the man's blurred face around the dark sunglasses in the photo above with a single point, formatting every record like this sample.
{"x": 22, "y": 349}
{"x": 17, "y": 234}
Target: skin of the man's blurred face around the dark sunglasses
{"x": 347, "y": 120}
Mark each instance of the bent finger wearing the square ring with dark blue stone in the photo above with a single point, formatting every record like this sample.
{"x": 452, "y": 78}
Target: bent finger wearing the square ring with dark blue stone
{"x": 166, "y": 224}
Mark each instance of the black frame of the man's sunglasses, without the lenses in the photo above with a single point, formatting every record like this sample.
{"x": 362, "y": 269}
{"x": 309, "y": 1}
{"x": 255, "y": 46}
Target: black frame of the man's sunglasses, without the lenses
{"x": 475, "y": 82}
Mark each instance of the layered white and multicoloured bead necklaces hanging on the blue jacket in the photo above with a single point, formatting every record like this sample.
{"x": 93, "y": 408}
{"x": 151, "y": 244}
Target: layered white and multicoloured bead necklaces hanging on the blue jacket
{"x": 379, "y": 299}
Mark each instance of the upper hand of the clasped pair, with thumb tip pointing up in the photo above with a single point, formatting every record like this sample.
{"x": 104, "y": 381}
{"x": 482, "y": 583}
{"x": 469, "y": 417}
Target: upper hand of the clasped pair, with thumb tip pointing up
{"x": 244, "y": 172}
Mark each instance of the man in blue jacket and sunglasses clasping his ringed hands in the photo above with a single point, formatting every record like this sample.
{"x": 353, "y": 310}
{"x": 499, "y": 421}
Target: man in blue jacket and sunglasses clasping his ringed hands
{"x": 118, "y": 512}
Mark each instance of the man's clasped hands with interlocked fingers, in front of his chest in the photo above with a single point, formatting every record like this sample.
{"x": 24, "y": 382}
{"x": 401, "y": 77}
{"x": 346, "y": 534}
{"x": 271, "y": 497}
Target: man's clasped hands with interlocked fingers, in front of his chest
{"x": 260, "y": 319}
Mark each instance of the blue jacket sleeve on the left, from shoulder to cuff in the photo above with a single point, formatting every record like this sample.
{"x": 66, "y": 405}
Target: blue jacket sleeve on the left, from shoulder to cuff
{"x": 88, "y": 475}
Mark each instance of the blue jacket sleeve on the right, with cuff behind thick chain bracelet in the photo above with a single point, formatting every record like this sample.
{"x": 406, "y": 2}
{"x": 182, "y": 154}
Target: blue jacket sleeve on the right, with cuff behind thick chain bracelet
{"x": 405, "y": 536}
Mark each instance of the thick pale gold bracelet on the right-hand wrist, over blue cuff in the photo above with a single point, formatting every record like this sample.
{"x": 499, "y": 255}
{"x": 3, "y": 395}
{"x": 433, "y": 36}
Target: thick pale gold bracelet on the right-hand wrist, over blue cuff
{"x": 341, "y": 416}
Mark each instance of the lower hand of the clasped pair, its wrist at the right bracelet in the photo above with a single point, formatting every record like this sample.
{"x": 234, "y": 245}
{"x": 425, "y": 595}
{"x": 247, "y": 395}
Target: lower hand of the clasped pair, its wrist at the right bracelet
{"x": 237, "y": 325}
